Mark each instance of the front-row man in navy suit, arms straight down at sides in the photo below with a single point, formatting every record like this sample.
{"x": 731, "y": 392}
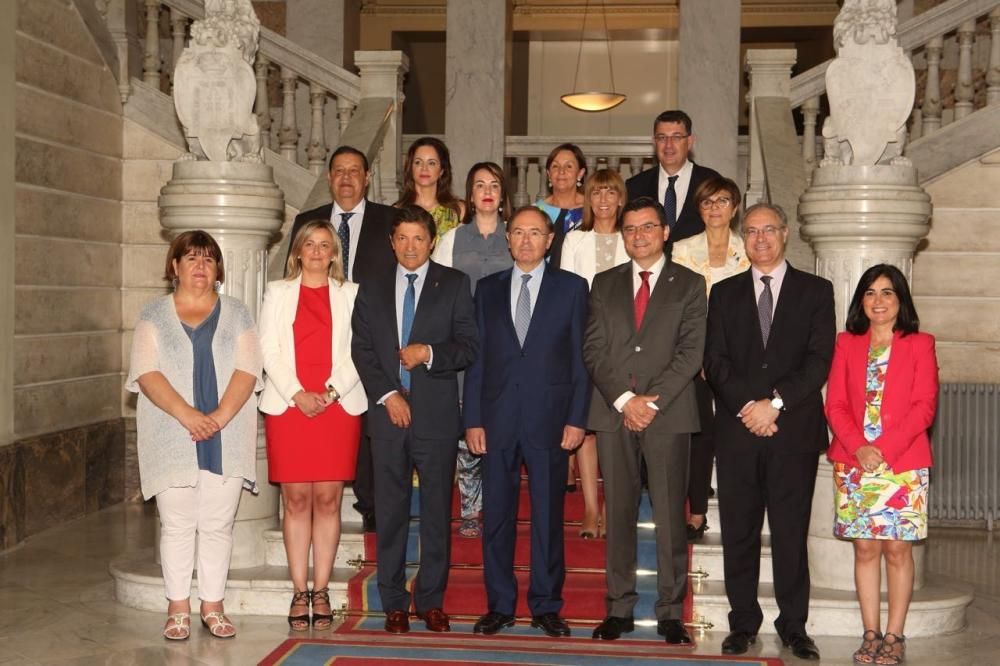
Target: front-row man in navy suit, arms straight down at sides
{"x": 526, "y": 401}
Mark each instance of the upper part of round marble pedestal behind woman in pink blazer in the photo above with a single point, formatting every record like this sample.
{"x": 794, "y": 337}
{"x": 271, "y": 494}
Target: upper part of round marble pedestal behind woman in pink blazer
{"x": 858, "y": 216}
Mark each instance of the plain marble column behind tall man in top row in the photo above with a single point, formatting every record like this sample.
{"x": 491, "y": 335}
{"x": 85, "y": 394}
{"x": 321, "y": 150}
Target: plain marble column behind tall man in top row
{"x": 709, "y": 79}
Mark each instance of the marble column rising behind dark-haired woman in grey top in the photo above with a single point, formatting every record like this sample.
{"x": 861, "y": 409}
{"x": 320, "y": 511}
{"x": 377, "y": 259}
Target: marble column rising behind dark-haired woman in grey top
{"x": 477, "y": 106}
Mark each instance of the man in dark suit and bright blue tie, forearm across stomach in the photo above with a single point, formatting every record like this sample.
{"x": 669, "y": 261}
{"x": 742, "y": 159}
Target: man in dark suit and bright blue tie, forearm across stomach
{"x": 414, "y": 330}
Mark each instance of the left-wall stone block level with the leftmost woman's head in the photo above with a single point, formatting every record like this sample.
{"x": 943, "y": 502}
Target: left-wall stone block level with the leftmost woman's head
{"x": 59, "y": 262}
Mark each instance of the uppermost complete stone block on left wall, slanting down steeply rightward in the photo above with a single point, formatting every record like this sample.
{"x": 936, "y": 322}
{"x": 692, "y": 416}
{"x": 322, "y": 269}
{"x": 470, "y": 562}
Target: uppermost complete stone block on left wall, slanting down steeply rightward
{"x": 48, "y": 68}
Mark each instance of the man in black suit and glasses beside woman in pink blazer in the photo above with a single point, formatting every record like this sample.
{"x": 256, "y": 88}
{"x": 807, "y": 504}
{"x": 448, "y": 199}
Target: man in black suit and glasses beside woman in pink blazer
{"x": 771, "y": 334}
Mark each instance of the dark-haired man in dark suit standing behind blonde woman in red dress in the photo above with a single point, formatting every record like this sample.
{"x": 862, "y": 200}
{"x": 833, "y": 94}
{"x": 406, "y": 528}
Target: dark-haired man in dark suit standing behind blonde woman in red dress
{"x": 363, "y": 227}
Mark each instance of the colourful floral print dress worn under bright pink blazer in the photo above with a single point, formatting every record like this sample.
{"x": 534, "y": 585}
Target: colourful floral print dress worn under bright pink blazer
{"x": 882, "y": 504}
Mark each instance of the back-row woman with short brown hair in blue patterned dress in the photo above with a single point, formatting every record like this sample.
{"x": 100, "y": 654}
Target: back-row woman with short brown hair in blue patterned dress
{"x": 565, "y": 170}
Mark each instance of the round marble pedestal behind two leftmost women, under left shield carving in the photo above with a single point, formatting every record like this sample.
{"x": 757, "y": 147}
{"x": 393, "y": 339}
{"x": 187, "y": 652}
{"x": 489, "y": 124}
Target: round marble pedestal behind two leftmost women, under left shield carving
{"x": 239, "y": 204}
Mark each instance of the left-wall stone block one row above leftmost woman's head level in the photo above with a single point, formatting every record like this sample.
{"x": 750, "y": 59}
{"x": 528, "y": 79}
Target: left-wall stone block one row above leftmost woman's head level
{"x": 63, "y": 214}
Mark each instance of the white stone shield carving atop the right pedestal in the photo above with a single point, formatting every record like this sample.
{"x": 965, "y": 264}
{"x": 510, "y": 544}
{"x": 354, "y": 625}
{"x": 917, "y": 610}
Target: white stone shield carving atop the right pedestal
{"x": 870, "y": 87}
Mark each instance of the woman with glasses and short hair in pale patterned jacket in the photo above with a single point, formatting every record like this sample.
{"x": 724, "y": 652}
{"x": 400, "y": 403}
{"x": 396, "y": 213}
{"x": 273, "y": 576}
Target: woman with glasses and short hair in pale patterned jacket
{"x": 716, "y": 253}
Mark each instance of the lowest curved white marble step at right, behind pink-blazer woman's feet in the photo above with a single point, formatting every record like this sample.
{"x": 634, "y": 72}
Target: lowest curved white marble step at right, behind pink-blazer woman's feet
{"x": 938, "y": 608}
